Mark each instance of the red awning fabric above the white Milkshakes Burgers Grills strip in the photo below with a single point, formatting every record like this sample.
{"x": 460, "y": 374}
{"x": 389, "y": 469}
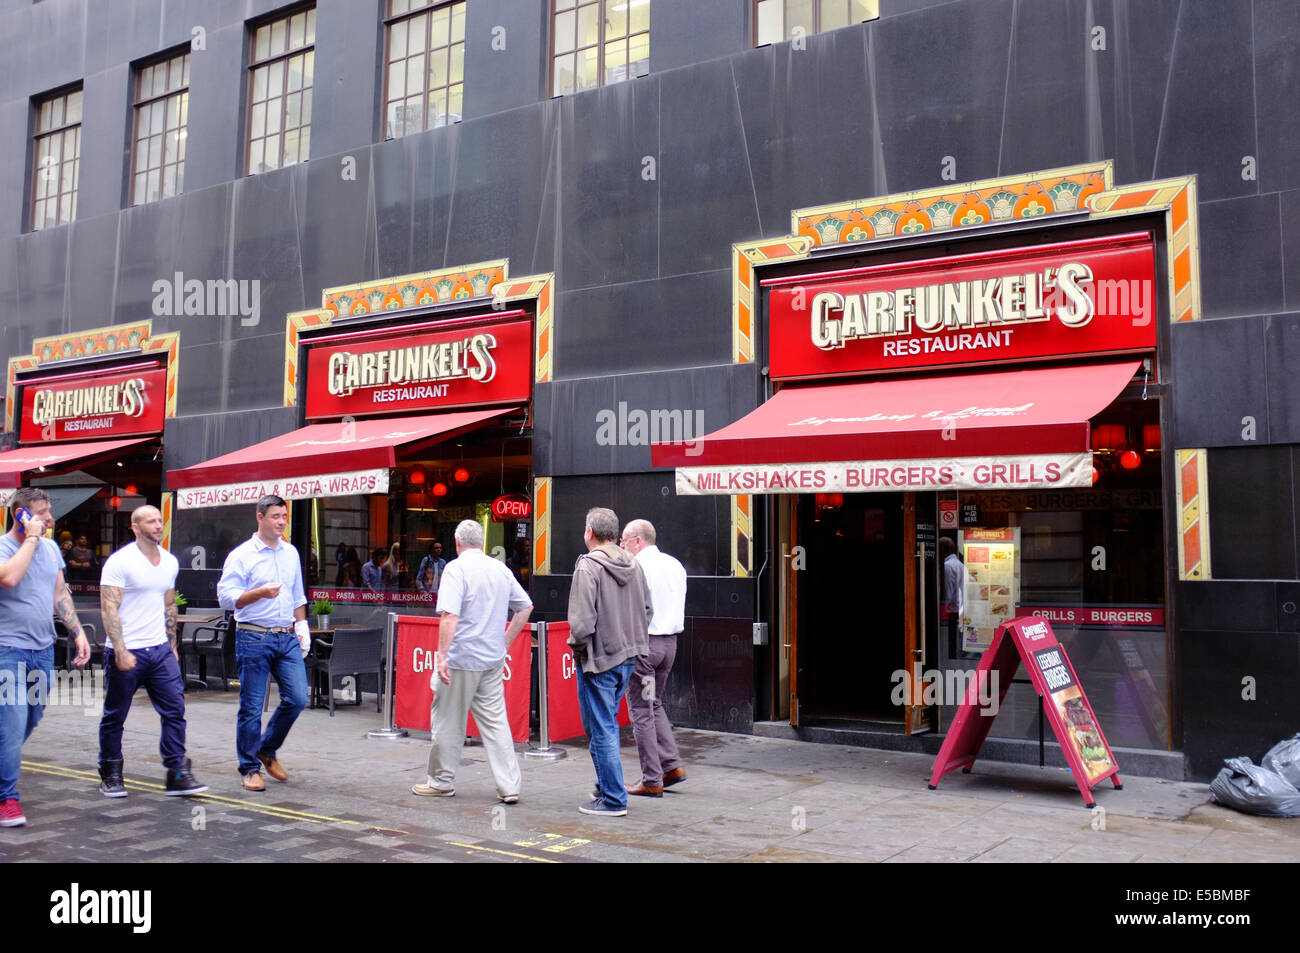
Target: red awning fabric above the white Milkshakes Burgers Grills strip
{"x": 998, "y": 414}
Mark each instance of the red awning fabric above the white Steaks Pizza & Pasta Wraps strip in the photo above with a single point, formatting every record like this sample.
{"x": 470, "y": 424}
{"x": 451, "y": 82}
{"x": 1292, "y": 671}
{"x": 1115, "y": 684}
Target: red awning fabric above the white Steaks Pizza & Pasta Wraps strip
{"x": 327, "y": 449}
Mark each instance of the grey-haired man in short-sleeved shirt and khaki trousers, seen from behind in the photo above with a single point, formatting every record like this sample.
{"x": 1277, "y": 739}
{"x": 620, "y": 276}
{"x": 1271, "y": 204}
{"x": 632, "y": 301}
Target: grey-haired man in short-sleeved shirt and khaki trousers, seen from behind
{"x": 475, "y": 597}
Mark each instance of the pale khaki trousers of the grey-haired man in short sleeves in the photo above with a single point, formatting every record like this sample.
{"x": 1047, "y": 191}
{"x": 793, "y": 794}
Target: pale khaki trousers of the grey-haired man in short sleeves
{"x": 484, "y": 694}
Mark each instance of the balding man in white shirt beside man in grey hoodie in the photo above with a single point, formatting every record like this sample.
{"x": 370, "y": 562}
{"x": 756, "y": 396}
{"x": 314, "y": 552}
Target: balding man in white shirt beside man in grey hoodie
{"x": 661, "y": 765}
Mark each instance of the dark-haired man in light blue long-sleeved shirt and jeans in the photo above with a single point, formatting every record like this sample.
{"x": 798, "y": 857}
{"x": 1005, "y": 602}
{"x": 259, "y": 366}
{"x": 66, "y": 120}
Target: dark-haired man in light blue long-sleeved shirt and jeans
{"x": 263, "y": 583}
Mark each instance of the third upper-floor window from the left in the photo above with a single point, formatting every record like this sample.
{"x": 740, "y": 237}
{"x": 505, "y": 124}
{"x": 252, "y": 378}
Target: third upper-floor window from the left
{"x": 280, "y": 90}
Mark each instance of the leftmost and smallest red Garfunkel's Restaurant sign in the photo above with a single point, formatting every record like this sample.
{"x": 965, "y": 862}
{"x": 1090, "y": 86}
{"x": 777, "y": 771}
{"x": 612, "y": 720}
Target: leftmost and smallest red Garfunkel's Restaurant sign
{"x": 102, "y": 406}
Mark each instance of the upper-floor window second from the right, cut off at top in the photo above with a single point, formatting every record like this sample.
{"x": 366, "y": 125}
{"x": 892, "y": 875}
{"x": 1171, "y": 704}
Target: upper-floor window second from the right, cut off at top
{"x": 599, "y": 42}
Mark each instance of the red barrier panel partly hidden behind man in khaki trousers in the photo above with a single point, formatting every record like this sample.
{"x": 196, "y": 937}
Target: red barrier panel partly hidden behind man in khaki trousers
{"x": 417, "y": 670}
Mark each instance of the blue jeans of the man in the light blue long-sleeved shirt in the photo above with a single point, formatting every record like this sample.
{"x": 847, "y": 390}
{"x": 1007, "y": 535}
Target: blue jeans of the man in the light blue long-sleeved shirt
{"x": 262, "y": 655}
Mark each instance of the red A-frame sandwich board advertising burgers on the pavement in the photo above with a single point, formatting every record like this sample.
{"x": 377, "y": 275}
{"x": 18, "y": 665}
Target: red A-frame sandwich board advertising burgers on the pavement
{"x": 1032, "y": 640}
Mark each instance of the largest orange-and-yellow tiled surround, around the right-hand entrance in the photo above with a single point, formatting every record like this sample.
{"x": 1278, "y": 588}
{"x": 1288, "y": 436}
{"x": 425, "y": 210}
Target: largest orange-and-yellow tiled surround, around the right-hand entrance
{"x": 951, "y": 209}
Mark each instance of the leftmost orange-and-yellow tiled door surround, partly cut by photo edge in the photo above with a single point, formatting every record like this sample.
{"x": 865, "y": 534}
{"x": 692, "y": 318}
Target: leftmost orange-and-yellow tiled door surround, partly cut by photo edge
{"x": 103, "y": 341}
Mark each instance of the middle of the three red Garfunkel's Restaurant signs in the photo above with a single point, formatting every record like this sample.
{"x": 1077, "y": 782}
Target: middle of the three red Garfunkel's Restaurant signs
{"x": 460, "y": 367}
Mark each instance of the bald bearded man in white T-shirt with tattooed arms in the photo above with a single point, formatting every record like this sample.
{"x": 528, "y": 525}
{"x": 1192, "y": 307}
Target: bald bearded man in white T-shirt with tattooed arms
{"x": 137, "y": 595}
